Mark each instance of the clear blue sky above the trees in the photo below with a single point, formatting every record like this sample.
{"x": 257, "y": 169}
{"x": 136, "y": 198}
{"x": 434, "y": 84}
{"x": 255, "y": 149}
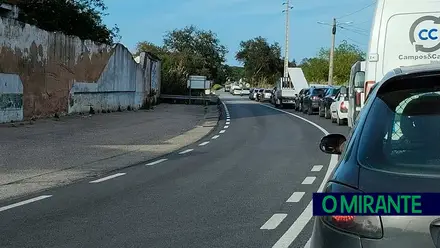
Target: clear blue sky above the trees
{"x": 237, "y": 20}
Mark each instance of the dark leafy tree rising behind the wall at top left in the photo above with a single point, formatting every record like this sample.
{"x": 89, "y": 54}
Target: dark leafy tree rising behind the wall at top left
{"x": 82, "y": 18}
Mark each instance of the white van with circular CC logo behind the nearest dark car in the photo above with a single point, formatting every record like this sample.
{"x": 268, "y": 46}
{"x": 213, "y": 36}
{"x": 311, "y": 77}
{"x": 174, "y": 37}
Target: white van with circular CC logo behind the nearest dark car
{"x": 403, "y": 33}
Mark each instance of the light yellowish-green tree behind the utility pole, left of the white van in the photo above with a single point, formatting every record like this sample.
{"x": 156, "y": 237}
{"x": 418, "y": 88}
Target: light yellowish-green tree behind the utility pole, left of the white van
{"x": 316, "y": 69}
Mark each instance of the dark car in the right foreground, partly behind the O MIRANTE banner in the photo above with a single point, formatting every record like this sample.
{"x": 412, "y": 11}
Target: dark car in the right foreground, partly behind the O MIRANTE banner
{"x": 392, "y": 148}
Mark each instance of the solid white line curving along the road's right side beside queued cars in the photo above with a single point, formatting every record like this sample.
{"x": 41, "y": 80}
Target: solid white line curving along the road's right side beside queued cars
{"x": 295, "y": 229}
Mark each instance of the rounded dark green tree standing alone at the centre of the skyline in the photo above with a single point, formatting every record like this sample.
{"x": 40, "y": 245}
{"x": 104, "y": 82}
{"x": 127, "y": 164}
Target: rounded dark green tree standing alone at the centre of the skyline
{"x": 261, "y": 60}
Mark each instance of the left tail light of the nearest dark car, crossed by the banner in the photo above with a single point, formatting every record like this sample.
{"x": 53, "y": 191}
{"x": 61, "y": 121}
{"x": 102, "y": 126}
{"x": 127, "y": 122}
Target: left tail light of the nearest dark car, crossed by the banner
{"x": 362, "y": 226}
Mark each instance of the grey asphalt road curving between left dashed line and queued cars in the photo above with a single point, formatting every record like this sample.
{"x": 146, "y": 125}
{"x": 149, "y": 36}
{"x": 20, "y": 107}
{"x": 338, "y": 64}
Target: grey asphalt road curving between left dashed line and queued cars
{"x": 244, "y": 185}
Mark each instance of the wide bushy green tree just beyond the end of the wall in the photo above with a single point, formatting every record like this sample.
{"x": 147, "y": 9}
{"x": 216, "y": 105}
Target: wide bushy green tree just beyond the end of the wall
{"x": 188, "y": 51}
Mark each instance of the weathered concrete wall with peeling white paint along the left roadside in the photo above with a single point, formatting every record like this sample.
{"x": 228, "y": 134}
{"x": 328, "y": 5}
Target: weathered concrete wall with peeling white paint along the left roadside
{"x": 62, "y": 74}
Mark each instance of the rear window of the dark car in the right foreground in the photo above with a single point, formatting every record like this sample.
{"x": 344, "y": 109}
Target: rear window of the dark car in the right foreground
{"x": 402, "y": 129}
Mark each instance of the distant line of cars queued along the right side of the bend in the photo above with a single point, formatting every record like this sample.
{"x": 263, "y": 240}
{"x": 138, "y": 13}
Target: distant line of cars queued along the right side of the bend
{"x": 329, "y": 102}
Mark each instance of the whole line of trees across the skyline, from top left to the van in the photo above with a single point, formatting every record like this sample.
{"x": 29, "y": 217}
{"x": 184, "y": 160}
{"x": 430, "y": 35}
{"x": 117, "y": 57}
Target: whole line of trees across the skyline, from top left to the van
{"x": 190, "y": 50}
